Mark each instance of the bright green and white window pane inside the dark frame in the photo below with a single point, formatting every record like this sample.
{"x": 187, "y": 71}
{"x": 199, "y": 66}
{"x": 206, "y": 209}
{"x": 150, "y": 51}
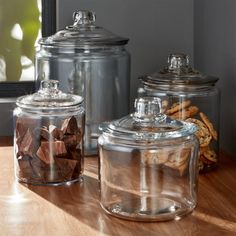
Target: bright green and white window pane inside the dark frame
{"x": 19, "y": 31}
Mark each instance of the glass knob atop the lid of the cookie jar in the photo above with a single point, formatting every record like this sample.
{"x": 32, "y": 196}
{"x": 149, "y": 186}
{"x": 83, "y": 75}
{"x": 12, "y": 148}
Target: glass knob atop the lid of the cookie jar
{"x": 178, "y": 61}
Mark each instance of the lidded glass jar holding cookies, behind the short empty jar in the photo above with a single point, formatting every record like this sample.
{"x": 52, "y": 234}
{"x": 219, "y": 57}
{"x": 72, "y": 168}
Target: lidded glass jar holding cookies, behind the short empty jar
{"x": 188, "y": 95}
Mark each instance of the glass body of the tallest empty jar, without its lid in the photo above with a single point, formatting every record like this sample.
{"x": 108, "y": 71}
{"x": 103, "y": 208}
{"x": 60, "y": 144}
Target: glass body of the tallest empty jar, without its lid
{"x": 101, "y": 77}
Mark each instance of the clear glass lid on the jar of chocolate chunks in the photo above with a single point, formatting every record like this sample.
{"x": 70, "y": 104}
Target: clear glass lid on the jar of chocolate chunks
{"x": 49, "y": 97}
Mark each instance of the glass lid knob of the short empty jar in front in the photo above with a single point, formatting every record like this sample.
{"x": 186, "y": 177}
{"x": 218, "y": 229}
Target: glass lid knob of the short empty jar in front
{"x": 147, "y": 107}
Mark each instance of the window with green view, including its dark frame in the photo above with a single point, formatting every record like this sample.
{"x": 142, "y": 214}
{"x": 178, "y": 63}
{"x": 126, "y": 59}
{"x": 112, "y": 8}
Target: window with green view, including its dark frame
{"x": 20, "y": 28}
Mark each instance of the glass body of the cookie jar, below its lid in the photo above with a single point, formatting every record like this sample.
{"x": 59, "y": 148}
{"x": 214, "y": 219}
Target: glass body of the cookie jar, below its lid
{"x": 206, "y": 101}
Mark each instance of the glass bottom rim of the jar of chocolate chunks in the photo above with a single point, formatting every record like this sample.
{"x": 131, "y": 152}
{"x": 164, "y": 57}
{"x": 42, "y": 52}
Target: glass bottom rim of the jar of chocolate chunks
{"x": 69, "y": 182}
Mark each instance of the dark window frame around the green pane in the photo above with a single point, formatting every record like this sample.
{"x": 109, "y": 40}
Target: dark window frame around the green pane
{"x": 48, "y": 27}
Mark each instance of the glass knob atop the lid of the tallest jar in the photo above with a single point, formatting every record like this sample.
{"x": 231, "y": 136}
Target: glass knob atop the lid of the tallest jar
{"x": 84, "y": 18}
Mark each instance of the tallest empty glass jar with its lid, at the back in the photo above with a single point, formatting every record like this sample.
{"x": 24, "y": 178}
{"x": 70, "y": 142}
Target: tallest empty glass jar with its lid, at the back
{"x": 91, "y": 62}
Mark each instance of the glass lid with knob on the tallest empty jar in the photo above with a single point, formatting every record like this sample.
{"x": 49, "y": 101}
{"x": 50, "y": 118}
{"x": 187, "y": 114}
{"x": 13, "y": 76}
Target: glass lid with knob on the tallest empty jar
{"x": 83, "y": 33}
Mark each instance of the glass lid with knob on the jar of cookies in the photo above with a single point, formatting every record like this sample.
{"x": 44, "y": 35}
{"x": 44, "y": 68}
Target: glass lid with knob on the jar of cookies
{"x": 178, "y": 72}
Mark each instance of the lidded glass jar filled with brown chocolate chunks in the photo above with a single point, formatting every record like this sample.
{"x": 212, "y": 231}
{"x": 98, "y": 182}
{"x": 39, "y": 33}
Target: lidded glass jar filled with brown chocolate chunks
{"x": 48, "y": 138}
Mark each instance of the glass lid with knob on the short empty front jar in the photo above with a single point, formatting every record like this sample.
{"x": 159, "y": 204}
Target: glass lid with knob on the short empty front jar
{"x": 147, "y": 123}
